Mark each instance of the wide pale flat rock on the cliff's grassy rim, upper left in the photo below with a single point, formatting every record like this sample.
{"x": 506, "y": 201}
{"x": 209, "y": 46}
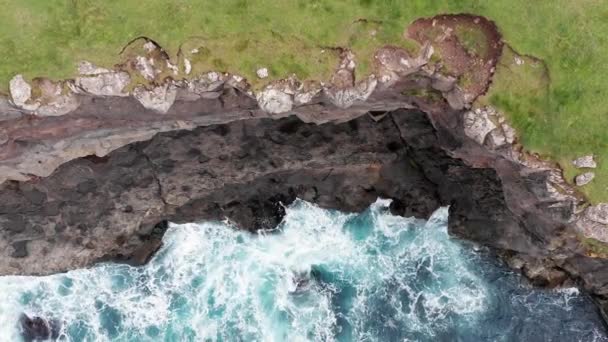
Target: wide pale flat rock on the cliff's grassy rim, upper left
{"x": 103, "y": 84}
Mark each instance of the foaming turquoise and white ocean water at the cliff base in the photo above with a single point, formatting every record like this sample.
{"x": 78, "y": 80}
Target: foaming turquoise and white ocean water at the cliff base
{"x": 320, "y": 276}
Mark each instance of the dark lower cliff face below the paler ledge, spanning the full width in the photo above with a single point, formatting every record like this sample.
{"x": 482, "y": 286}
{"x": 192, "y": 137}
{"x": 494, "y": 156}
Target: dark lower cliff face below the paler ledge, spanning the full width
{"x": 117, "y": 207}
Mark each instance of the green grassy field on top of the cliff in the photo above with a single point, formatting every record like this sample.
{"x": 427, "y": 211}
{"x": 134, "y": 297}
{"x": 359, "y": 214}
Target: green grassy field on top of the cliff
{"x": 561, "y": 114}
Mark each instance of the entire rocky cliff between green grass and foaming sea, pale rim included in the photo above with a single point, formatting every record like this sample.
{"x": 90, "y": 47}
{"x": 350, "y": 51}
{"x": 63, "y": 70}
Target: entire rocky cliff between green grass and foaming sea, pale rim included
{"x": 95, "y": 173}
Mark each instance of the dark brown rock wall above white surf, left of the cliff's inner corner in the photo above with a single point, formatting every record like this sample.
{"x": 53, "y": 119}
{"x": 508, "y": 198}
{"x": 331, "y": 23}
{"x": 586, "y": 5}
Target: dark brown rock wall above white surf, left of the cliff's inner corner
{"x": 93, "y": 208}
